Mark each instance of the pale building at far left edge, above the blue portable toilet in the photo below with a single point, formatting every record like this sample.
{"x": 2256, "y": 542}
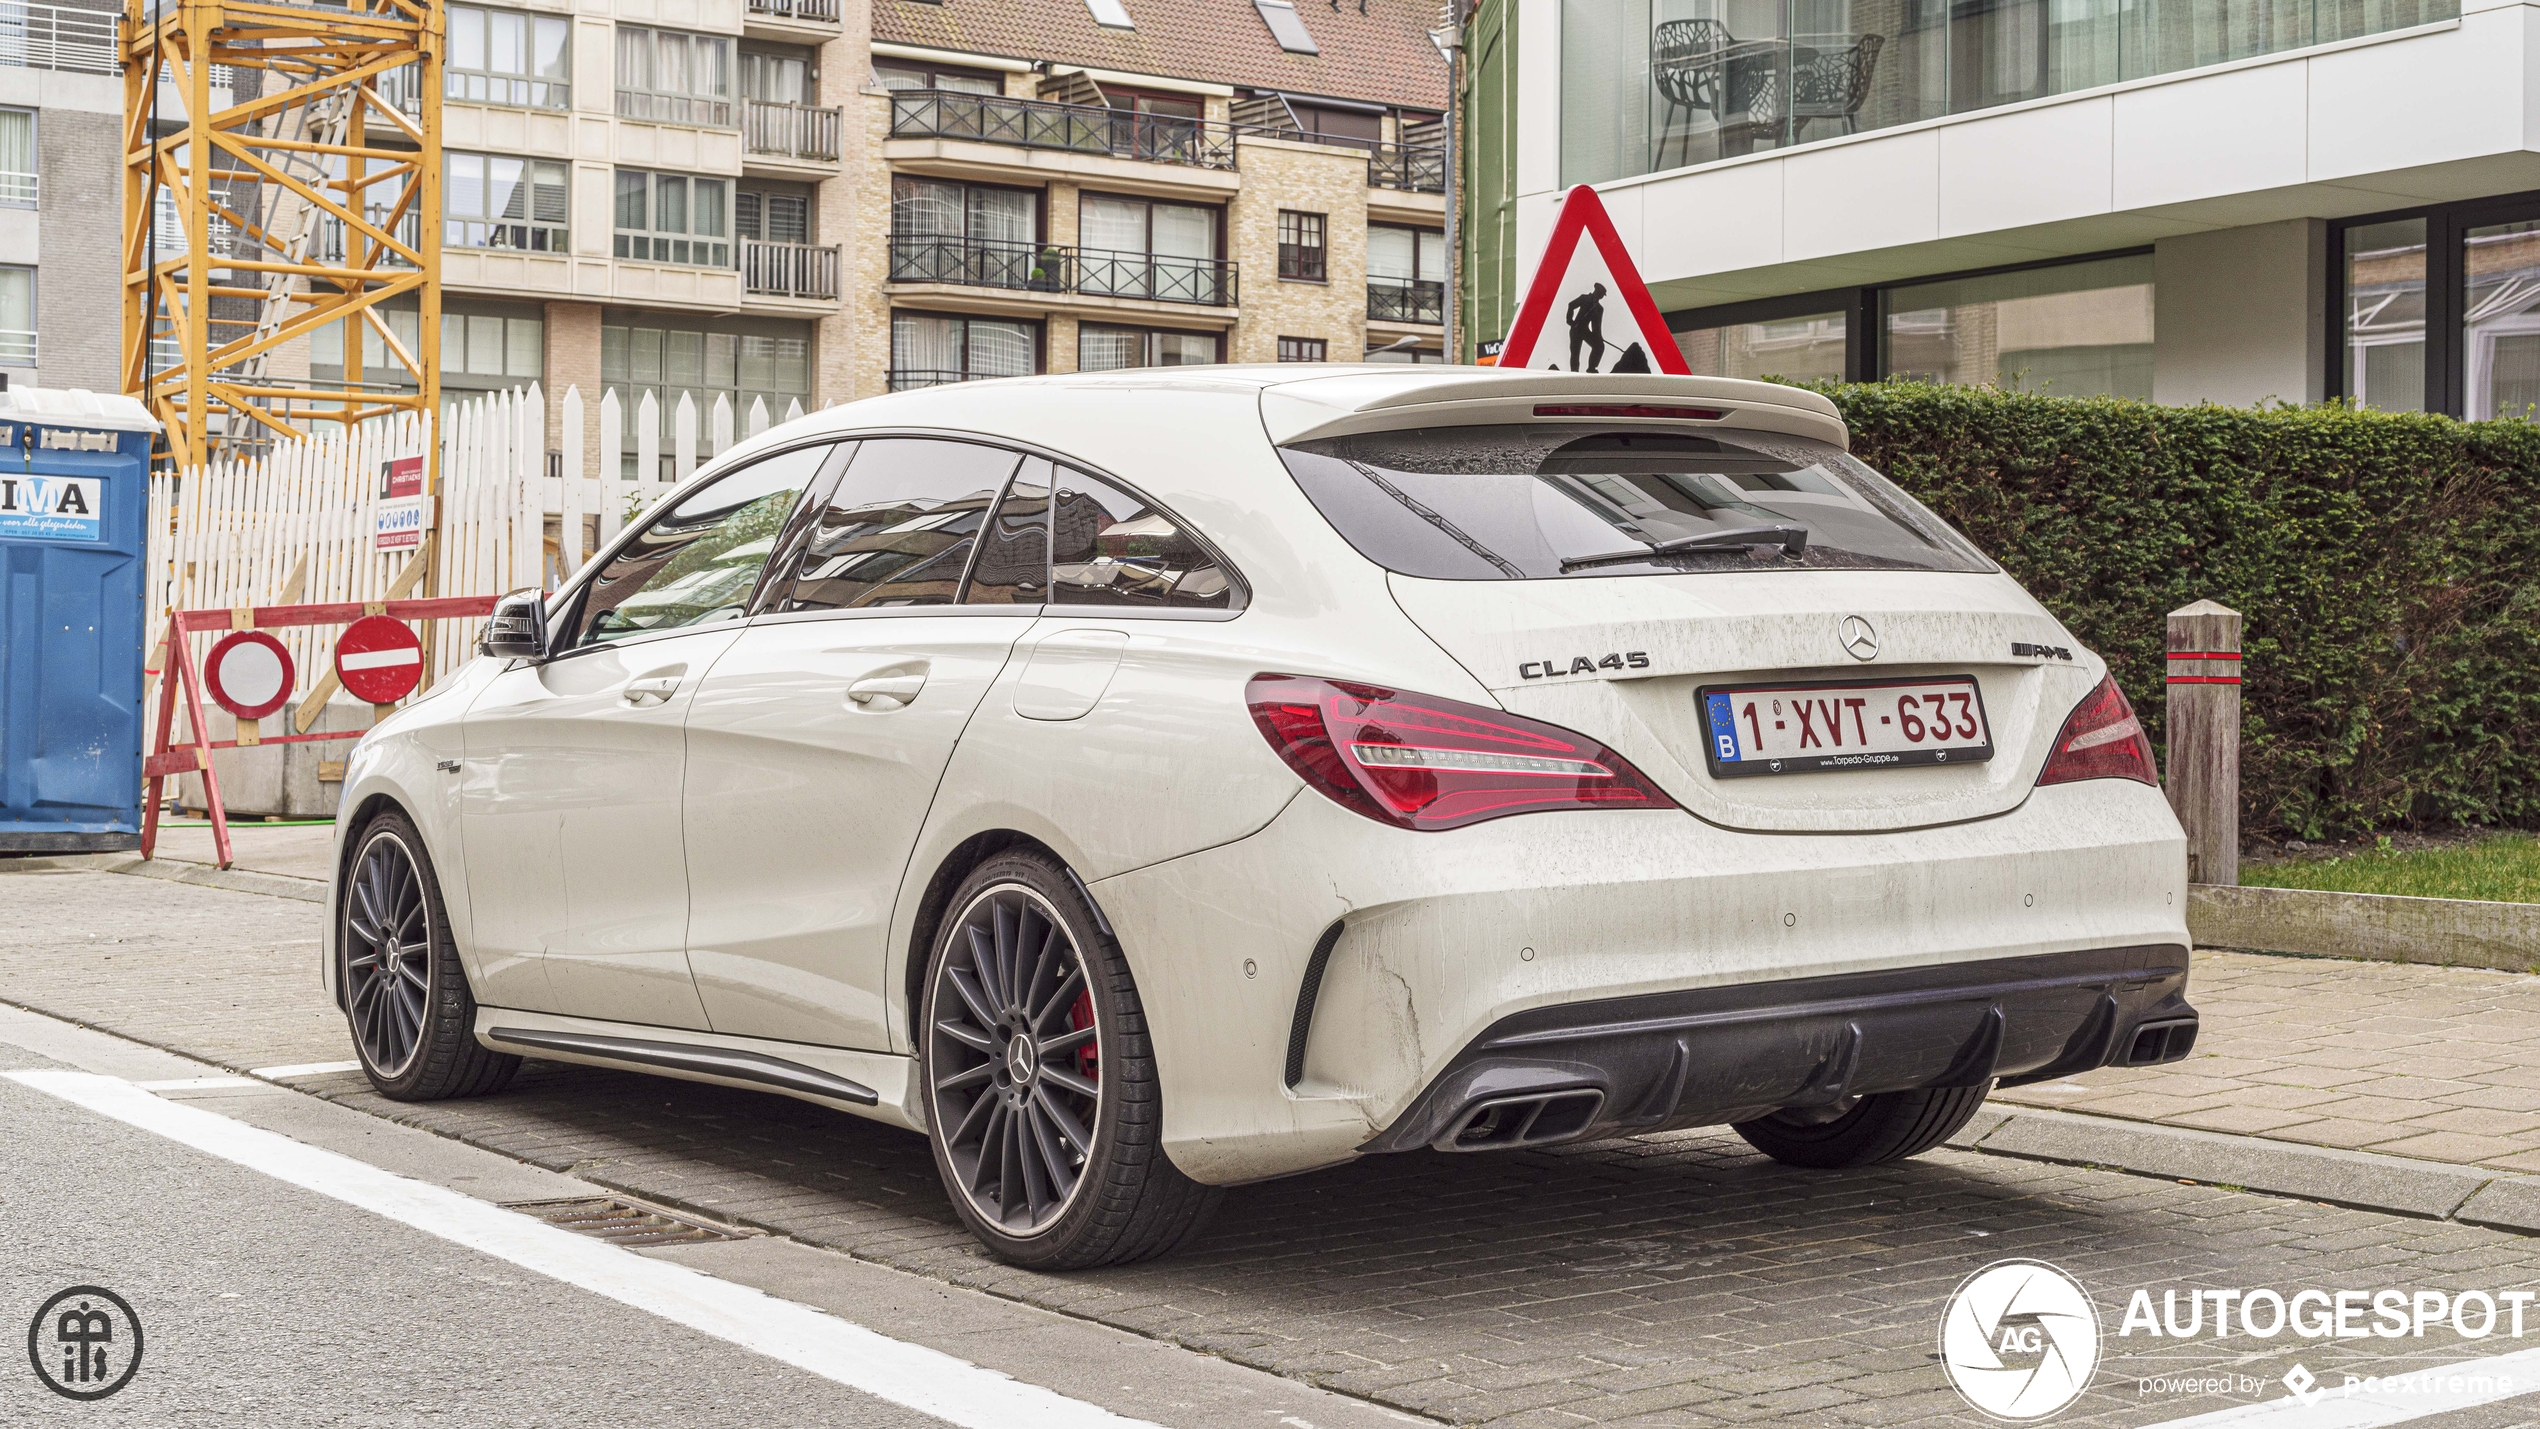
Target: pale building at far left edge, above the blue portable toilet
{"x": 62, "y": 103}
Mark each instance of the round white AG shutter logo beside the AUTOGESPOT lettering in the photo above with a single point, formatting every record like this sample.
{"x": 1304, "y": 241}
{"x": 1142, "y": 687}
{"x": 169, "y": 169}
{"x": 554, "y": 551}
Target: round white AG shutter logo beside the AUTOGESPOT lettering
{"x": 2021, "y": 1339}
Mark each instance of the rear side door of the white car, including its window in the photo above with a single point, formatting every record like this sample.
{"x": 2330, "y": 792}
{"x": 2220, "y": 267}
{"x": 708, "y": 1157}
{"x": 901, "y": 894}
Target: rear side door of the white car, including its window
{"x": 817, "y": 742}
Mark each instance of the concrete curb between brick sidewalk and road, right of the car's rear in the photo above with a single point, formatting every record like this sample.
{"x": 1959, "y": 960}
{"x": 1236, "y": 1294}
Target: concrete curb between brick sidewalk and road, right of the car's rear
{"x": 2366, "y": 1182}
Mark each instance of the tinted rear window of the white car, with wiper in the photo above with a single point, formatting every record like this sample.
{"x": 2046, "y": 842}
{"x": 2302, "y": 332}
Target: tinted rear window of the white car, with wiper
{"x": 1510, "y": 504}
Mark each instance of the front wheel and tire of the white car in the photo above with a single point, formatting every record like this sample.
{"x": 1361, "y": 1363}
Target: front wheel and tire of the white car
{"x": 405, "y": 991}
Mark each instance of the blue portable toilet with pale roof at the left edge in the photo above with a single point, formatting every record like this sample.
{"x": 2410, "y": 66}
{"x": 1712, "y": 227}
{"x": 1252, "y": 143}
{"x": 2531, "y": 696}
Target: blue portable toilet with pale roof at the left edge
{"x": 75, "y": 501}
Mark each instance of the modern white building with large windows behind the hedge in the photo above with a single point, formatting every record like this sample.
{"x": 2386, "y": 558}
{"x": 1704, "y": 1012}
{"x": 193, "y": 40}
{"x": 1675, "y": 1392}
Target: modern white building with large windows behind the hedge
{"x": 2165, "y": 199}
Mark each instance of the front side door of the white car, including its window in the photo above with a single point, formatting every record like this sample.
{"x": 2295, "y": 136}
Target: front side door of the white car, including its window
{"x": 575, "y": 763}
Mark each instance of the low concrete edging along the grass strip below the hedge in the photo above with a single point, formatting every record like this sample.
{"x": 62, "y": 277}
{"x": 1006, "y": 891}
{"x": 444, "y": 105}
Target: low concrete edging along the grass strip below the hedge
{"x": 2379, "y": 928}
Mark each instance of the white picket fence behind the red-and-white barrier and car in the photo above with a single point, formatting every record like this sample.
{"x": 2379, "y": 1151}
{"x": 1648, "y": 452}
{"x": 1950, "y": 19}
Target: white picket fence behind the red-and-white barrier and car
{"x": 301, "y": 524}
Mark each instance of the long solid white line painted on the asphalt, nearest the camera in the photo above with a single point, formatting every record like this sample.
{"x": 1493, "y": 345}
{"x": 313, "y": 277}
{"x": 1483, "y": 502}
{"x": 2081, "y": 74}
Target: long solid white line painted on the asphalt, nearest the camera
{"x": 784, "y": 1331}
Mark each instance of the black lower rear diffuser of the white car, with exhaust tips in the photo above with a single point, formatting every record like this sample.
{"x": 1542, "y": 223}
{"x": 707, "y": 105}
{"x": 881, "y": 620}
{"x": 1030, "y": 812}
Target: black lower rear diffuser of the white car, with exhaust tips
{"x": 1726, "y": 1055}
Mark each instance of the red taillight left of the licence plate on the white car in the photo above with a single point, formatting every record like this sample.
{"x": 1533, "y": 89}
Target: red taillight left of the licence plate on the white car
{"x": 1426, "y": 763}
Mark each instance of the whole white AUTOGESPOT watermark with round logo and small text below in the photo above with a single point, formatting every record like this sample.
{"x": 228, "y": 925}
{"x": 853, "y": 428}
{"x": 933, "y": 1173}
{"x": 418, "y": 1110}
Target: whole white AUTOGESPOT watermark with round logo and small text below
{"x": 2023, "y": 1339}
